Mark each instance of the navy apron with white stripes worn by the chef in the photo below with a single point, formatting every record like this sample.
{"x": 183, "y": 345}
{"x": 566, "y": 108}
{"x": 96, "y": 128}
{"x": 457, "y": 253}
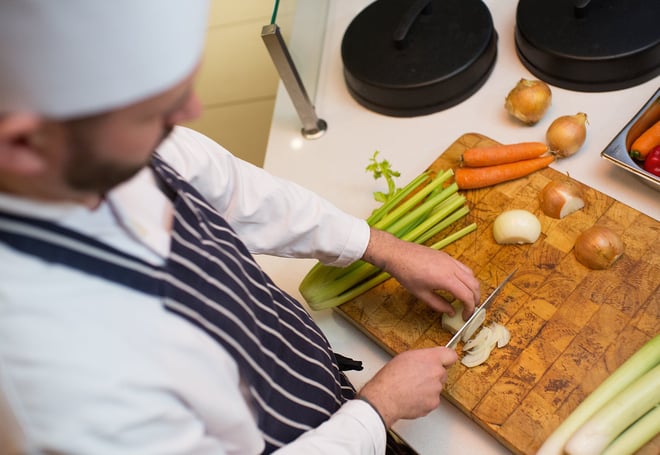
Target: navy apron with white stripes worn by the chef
{"x": 211, "y": 280}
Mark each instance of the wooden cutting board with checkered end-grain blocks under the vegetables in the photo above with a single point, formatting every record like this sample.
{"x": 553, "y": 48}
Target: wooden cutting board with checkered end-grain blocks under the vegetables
{"x": 570, "y": 326}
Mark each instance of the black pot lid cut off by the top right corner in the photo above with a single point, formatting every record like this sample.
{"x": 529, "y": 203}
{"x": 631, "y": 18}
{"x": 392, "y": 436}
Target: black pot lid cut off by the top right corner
{"x": 590, "y": 46}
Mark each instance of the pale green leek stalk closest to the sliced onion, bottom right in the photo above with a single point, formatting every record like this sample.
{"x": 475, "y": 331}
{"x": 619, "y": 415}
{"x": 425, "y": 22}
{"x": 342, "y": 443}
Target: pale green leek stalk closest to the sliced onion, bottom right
{"x": 642, "y": 361}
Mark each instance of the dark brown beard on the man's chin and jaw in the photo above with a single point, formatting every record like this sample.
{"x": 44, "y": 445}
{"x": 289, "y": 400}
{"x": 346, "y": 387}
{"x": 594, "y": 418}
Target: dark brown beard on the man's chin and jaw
{"x": 84, "y": 172}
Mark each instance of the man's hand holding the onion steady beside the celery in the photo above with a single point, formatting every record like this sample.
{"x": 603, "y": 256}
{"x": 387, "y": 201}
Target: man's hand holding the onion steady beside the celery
{"x": 424, "y": 271}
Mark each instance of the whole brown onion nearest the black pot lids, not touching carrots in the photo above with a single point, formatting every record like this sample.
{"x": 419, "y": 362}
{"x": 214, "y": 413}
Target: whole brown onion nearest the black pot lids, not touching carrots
{"x": 528, "y": 100}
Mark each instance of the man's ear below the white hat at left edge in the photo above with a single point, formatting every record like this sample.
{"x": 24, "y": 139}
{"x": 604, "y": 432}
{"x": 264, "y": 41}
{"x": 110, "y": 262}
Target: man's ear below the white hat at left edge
{"x": 19, "y": 144}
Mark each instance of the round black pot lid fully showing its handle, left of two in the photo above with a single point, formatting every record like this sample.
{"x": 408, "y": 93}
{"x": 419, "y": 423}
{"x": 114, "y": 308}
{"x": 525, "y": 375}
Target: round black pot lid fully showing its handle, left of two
{"x": 418, "y": 57}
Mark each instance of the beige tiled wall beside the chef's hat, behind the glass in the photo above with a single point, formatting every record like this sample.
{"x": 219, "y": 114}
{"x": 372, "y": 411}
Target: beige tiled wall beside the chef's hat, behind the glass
{"x": 237, "y": 81}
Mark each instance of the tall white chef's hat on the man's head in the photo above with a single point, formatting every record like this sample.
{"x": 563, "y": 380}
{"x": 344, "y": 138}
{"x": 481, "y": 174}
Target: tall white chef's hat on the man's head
{"x": 72, "y": 58}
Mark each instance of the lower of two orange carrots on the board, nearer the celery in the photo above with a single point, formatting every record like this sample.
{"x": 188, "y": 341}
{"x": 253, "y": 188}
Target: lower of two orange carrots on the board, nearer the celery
{"x": 479, "y": 177}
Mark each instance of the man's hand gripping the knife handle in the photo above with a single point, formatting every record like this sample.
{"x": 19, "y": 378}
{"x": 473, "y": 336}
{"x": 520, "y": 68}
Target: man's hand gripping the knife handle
{"x": 409, "y": 385}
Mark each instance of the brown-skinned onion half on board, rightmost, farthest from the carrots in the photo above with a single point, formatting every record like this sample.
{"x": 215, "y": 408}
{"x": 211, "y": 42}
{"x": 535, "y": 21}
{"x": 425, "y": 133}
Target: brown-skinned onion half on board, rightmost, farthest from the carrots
{"x": 598, "y": 247}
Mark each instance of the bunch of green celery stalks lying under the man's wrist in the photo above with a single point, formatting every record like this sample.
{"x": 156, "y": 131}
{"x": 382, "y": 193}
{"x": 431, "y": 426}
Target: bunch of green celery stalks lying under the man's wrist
{"x": 416, "y": 213}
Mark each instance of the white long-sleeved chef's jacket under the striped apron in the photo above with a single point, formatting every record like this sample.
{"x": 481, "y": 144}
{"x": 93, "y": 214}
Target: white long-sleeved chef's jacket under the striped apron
{"x": 90, "y": 367}
